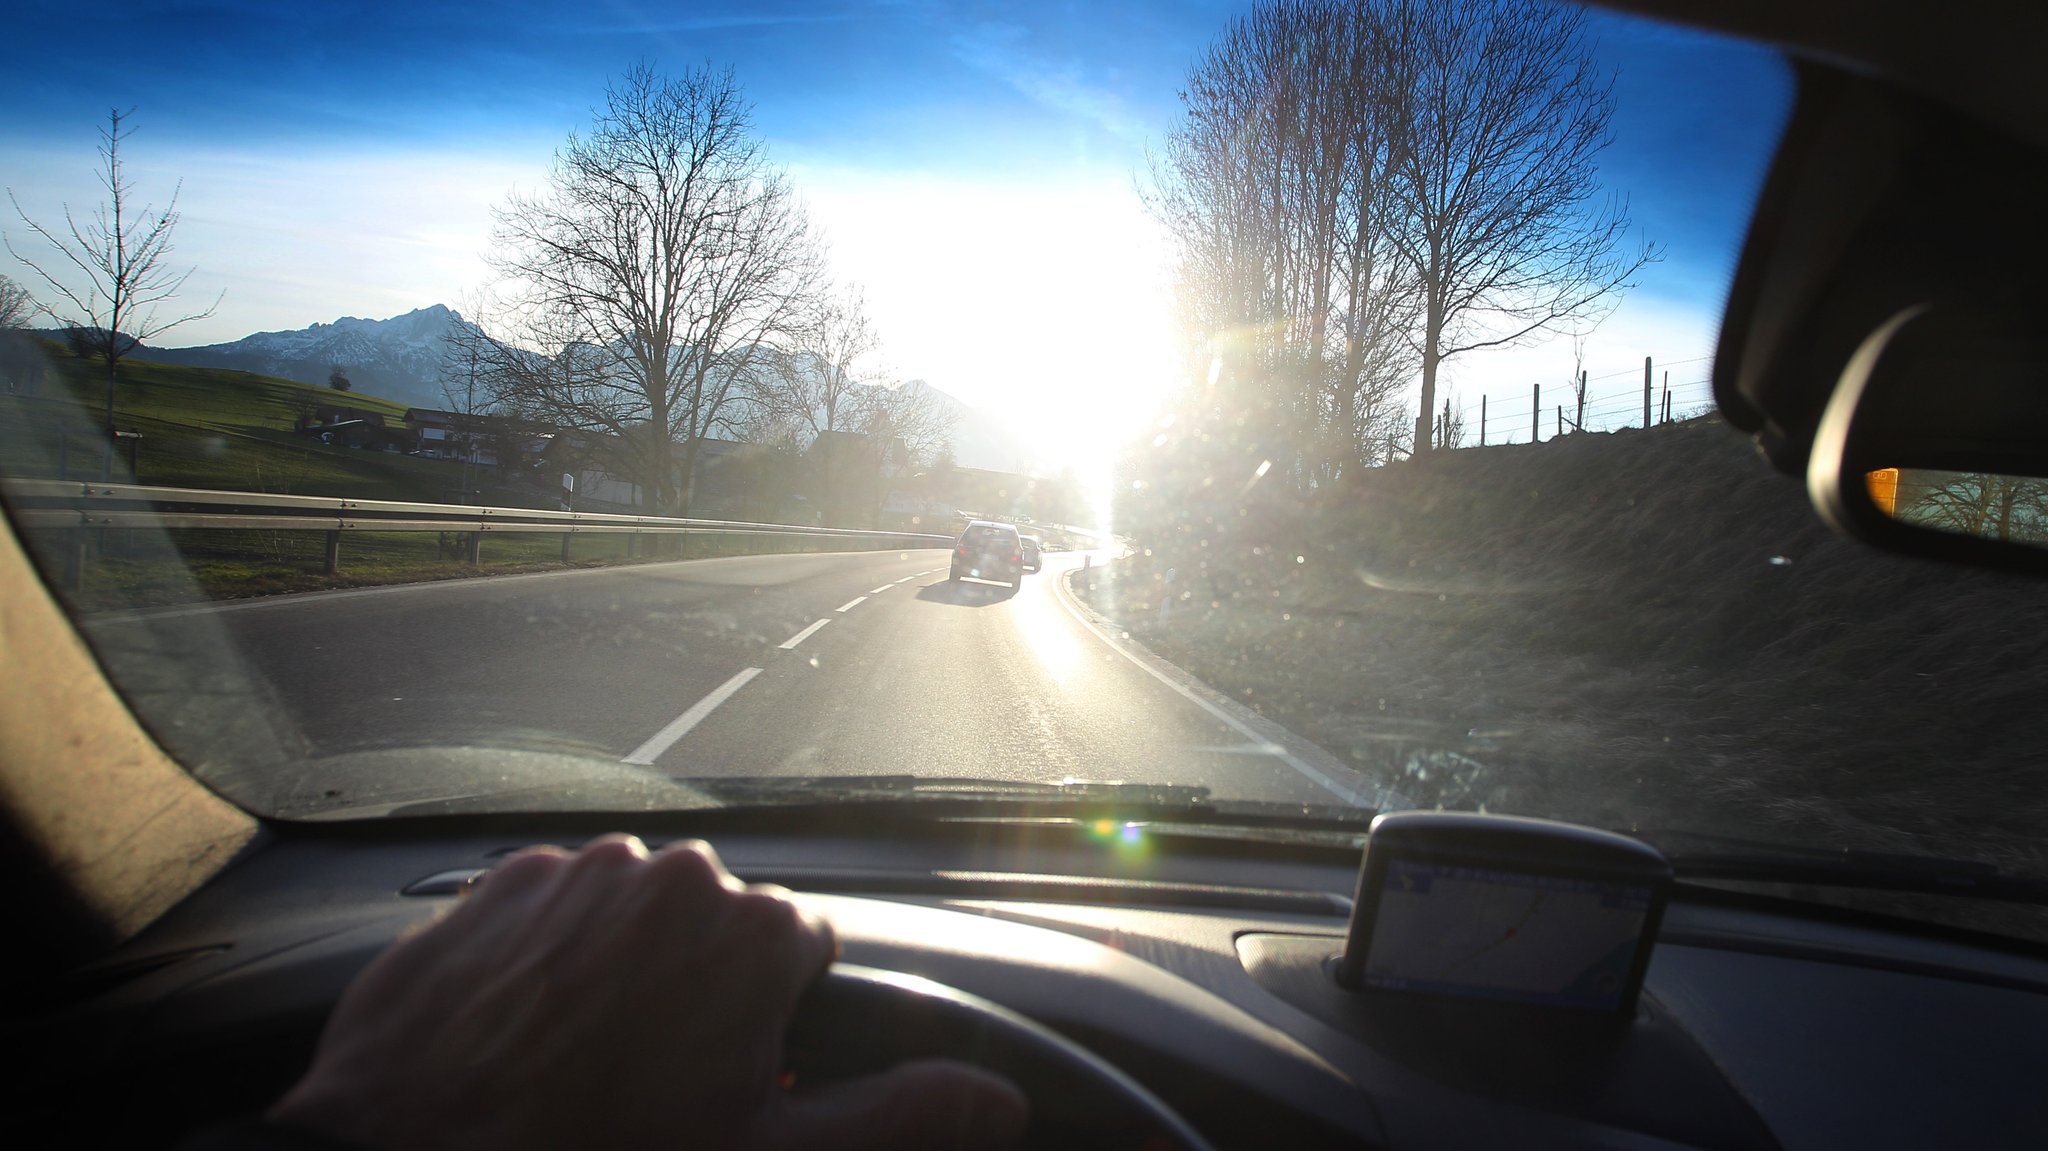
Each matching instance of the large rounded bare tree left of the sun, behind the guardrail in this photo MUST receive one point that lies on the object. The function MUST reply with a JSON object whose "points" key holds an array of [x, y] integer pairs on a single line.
{"points": [[652, 282]]}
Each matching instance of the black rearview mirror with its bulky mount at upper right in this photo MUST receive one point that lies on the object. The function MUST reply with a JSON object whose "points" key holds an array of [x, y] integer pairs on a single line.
{"points": [[1883, 318]]}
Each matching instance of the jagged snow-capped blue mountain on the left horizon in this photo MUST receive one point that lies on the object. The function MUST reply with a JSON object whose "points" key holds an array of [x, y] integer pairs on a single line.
{"points": [[398, 357]]}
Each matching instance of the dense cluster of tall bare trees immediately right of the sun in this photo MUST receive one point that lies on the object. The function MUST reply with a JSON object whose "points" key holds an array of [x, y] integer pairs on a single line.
{"points": [[1277, 194]]}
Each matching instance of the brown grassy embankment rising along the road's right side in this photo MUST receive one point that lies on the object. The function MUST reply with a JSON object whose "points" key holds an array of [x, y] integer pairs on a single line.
{"points": [[1637, 630]]}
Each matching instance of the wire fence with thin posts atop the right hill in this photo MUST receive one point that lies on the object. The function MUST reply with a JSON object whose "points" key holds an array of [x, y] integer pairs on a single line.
{"points": [[1629, 398]]}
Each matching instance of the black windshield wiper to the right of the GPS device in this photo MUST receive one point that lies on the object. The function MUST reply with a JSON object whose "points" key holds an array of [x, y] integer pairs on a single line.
{"points": [[1697, 855]]}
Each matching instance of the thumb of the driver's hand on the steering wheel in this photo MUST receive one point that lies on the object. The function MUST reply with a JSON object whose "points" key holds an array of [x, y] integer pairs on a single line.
{"points": [[927, 1105]]}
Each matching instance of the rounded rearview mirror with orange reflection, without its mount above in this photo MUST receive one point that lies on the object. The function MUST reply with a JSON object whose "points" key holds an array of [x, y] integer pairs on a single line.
{"points": [[1936, 437]]}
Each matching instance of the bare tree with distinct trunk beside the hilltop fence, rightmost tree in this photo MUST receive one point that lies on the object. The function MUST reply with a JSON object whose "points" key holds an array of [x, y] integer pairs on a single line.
{"points": [[1500, 118]]}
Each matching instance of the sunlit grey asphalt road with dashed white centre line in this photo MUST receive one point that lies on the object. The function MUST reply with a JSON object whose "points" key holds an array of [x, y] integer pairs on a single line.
{"points": [[744, 667]]}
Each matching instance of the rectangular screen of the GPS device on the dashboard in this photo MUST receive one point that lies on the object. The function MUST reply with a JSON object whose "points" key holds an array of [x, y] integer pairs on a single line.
{"points": [[1498, 935]]}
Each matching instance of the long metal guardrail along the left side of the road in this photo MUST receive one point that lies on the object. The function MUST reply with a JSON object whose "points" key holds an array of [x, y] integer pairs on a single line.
{"points": [[87, 509]]}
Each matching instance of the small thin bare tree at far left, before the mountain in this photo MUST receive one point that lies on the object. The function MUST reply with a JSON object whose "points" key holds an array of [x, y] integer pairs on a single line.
{"points": [[122, 259]]}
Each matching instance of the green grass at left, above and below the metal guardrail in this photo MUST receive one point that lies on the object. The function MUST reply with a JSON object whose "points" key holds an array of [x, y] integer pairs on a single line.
{"points": [[234, 431]]}
